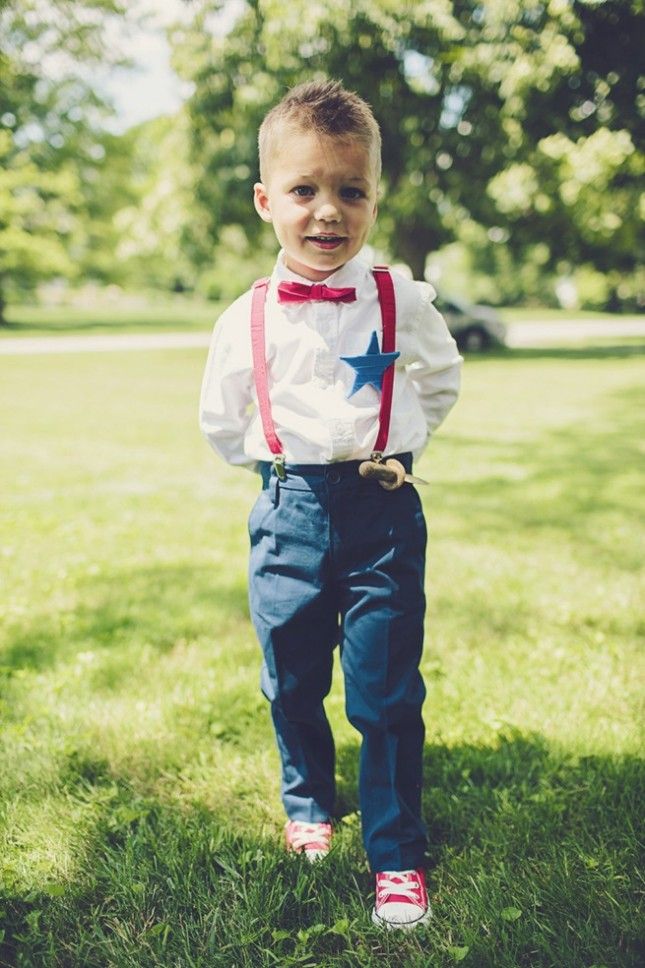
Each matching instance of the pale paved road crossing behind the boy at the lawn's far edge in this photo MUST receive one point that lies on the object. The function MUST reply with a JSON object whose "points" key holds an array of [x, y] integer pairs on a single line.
{"points": [[523, 335]]}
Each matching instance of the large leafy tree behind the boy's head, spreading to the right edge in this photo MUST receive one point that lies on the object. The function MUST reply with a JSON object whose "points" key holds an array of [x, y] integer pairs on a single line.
{"points": [[488, 110]]}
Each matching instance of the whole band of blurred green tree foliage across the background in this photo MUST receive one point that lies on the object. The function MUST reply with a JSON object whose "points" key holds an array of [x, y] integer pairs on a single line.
{"points": [[512, 130]]}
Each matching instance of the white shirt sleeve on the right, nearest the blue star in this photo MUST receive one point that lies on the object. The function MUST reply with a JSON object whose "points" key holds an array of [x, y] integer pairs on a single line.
{"points": [[436, 371]]}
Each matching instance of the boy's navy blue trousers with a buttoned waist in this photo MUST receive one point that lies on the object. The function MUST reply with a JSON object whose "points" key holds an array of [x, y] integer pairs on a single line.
{"points": [[336, 559]]}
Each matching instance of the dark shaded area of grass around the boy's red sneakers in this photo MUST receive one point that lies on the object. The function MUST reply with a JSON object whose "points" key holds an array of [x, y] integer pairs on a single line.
{"points": [[533, 858]]}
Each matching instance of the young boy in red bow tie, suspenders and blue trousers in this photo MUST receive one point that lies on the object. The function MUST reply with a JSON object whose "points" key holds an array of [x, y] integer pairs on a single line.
{"points": [[312, 377]]}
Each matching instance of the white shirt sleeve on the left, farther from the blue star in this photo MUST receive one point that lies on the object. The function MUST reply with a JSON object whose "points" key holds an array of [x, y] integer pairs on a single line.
{"points": [[227, 402]]}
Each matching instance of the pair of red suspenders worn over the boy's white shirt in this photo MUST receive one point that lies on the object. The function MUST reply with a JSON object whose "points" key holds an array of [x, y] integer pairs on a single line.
{"points": [[387, 303]]}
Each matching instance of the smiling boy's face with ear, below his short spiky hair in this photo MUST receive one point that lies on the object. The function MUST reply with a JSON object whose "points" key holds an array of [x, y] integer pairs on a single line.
{"points": [[320, 196]]}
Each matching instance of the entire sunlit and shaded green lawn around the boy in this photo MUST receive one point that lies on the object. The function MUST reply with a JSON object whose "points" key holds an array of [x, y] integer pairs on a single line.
{"points": [[139, 811]]}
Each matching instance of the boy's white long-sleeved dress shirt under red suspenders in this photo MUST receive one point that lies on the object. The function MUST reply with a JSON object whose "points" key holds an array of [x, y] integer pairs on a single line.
{"points": [[316, 416]]}
